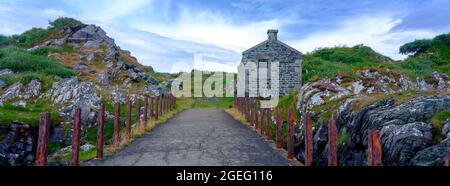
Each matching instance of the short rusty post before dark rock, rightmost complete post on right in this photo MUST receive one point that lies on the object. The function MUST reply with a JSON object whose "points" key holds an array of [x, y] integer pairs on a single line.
{"points": [[375, 149]]}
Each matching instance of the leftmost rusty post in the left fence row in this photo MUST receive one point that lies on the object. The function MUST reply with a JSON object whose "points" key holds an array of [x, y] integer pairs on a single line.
{"points": [[42, 146]]}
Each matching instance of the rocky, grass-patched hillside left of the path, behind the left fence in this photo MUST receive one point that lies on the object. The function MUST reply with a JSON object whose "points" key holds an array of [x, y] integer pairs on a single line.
{"points": [[57, 69]]}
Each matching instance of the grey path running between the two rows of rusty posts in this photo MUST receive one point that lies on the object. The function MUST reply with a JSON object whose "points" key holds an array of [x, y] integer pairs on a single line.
{"points": [[198, 137]]}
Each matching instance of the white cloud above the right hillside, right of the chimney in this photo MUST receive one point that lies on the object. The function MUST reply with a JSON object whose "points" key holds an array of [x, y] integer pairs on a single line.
{"points": [[374, 31]]}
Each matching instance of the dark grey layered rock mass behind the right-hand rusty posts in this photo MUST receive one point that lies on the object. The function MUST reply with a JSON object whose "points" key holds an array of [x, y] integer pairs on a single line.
{"points": [[404, 131]]}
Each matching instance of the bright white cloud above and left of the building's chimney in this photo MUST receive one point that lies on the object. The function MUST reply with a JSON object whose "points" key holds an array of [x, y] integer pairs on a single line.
{"points": [[211, 28]]}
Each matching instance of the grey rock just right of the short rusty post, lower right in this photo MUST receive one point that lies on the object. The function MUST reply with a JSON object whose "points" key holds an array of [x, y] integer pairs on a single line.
{"points": [[402, 142]]}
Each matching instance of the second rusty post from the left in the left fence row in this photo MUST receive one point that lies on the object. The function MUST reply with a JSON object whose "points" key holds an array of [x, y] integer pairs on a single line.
{"points": [[76, 137]]}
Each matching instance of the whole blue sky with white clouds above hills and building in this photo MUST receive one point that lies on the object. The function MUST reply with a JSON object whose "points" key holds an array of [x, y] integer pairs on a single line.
{"points": [[162, 33]]}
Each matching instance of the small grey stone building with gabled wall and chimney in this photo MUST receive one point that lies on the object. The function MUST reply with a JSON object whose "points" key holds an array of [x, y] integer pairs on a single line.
{"points": [[273, 50]]}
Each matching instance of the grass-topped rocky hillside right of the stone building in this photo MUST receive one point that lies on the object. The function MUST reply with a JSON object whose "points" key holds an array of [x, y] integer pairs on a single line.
{"points": [[408, 101]]}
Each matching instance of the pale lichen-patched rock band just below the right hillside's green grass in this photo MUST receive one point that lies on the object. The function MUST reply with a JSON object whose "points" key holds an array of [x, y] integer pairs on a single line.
{"points": [[370, 81]]}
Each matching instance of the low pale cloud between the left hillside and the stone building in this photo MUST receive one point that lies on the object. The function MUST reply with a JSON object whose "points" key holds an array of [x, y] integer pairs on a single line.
{"points": [[163, 53]]}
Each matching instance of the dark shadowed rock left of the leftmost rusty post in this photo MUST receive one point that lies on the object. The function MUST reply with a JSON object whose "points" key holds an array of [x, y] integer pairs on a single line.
{"points": [[17, 146]]}
